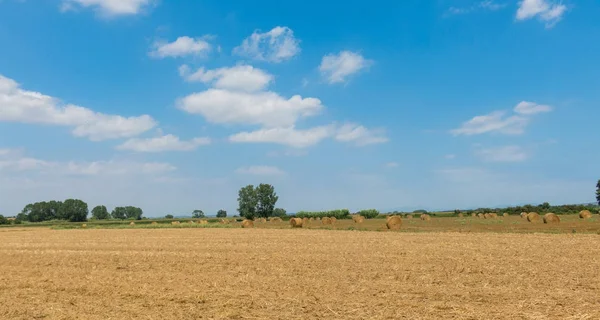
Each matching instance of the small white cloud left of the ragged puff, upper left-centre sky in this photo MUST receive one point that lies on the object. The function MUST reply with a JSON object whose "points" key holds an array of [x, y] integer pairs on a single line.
{"points": [[183, 46]]}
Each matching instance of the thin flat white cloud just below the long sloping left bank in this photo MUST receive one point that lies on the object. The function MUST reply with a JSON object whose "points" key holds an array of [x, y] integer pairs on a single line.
{"points": [[163, 143]]}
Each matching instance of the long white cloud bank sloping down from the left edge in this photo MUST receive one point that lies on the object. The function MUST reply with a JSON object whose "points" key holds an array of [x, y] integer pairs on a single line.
{"points": [[17, 105]]}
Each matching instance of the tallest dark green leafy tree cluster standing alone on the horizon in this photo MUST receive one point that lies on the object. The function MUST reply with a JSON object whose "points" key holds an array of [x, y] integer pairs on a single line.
{"points": [[257, 202]]}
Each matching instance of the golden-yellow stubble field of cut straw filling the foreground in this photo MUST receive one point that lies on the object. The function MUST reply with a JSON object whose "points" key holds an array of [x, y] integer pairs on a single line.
{"points": [[196, 273]]}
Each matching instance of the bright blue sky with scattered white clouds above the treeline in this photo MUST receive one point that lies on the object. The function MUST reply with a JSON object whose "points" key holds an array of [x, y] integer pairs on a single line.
{"points": [[174, 105]]}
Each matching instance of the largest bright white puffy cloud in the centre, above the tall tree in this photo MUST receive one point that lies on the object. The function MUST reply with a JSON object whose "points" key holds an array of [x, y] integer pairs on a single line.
{"points": [[264, 108]]}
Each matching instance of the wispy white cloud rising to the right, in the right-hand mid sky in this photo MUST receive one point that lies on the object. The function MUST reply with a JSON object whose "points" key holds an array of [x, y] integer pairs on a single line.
{"points": [[502, 122]]}
